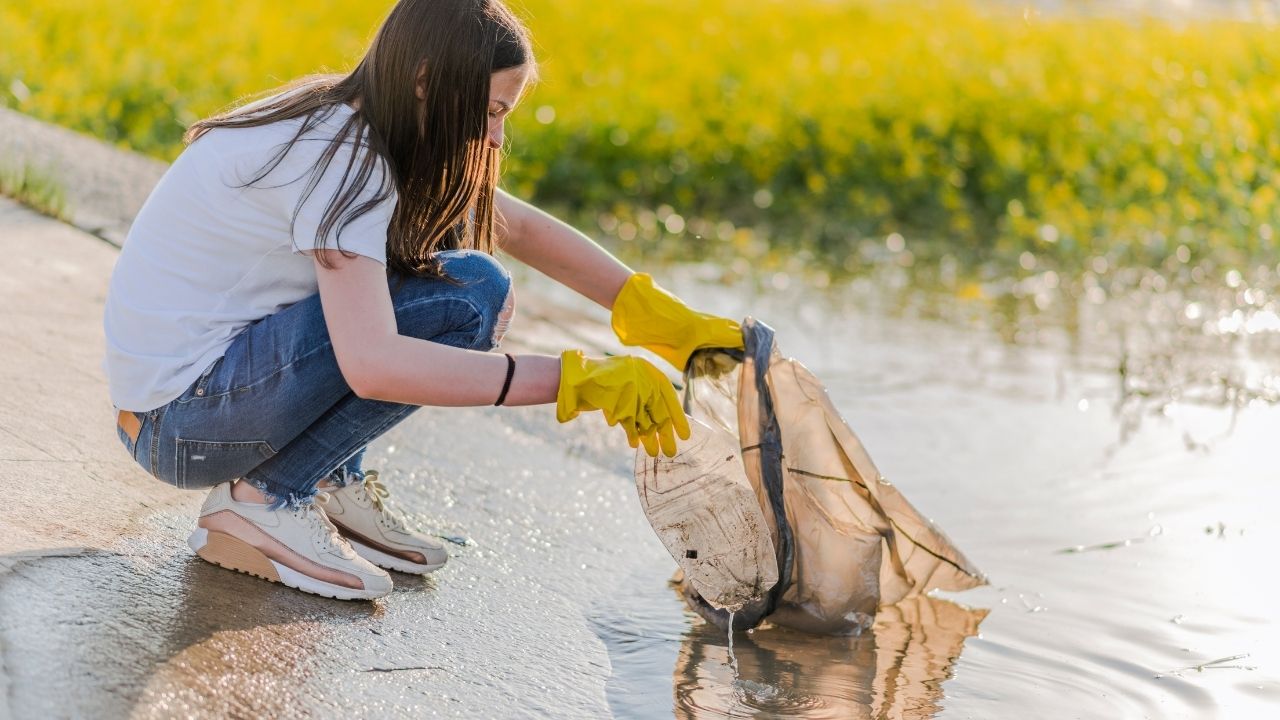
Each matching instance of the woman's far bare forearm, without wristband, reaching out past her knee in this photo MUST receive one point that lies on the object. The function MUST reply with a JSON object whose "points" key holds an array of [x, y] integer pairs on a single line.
{"points": [[559, 252]]}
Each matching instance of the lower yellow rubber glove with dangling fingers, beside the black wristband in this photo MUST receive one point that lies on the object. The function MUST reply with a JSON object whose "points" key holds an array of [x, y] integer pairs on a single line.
{"points": [[630, 391]]}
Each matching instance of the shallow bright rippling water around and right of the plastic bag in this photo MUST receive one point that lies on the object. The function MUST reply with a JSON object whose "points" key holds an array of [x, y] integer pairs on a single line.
{"points": [[1107, 461]]}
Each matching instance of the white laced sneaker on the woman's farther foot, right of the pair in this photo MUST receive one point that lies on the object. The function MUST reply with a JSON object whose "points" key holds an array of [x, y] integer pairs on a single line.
{"points": [[378, 534]]}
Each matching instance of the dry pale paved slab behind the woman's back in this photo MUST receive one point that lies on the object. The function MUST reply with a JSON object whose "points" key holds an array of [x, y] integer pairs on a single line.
{"points": [[70, 484]]}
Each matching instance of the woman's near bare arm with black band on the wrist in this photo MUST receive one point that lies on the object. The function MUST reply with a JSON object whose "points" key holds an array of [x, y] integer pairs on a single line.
{"points": [[381, 364]]}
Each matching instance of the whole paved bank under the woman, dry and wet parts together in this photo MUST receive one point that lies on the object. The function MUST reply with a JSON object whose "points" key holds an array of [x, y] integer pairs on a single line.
{"points": [[106, 613]]}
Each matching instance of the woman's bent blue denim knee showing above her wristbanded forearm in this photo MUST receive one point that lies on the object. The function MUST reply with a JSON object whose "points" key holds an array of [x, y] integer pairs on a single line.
{"points": [[474, 311]]}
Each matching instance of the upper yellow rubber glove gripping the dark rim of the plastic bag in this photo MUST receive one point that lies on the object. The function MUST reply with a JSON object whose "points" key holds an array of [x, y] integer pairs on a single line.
{"points": [[648, 316]]}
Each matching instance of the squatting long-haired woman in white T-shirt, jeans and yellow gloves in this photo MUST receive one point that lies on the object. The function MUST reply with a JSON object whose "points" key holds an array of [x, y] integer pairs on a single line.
{"points": [[317, 266]]}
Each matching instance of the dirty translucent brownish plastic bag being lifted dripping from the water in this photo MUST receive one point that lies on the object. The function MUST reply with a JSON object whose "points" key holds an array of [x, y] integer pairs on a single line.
{"points": [[844, 541]]}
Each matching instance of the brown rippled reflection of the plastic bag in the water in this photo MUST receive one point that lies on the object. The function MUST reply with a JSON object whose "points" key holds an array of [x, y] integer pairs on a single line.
{"points": [[894, 671]]}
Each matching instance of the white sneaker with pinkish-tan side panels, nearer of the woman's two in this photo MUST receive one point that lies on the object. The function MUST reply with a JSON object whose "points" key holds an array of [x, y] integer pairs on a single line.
{"points": [[298, 548]]}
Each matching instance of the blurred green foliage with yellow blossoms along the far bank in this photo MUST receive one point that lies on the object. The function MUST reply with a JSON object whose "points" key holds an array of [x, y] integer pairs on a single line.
{"points": [[703, 129]]}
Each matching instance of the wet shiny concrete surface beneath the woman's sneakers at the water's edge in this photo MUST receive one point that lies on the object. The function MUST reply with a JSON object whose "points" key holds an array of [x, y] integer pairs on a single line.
{"points": [[143, 628]]}
